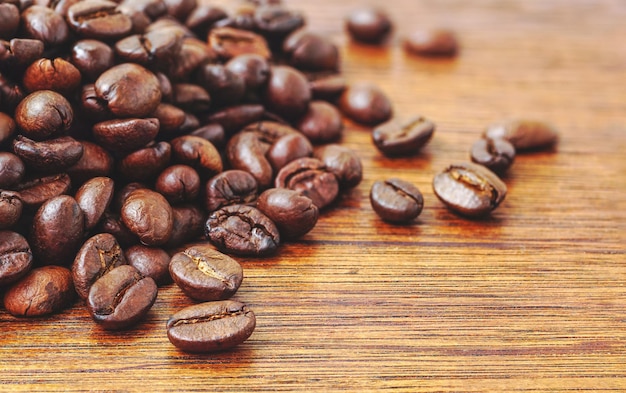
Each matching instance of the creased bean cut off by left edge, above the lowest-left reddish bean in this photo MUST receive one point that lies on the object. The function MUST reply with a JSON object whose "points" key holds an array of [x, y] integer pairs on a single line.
{"points": [[16, 259]]}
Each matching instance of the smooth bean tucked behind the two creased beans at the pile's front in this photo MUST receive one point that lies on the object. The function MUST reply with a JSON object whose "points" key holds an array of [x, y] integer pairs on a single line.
{"points": [[150, 262]]}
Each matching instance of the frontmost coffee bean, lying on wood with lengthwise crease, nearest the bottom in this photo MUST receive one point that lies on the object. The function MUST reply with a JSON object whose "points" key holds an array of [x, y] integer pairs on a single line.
{"points": [[211, 326]]}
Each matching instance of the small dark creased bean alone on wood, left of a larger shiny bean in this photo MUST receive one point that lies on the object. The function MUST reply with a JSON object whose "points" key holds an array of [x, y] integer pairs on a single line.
{"points": [[396, 200]]}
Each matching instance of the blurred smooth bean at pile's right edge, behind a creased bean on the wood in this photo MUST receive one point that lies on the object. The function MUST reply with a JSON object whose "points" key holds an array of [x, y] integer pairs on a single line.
{"points": [[365, 103]]}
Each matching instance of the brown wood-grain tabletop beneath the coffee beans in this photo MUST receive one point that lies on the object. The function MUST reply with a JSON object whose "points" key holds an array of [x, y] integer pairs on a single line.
{"points": [[531, 299]]}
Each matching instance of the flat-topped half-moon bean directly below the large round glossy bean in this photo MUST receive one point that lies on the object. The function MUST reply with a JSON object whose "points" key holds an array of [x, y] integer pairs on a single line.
{"points": [[122, 135]]}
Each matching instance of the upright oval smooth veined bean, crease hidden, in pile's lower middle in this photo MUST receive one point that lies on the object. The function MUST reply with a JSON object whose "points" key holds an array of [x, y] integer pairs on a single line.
{"points": [[149, 216]]}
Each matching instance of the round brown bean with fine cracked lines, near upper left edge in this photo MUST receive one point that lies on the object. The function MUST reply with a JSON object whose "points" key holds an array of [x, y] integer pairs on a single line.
{"points": [[43, 114]]}
